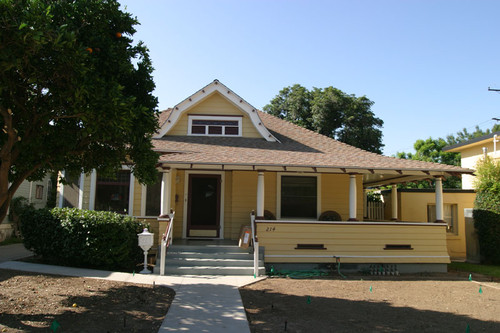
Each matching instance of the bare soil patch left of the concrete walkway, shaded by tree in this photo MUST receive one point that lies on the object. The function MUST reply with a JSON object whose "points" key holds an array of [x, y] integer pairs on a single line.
{"points": [[31, 302]]}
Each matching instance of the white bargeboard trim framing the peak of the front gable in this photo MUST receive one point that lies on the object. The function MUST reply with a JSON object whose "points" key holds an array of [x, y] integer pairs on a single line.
{"points": [[168, 121]]}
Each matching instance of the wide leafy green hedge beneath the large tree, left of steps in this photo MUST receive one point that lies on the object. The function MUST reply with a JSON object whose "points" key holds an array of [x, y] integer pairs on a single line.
{"points": [[83, 238]]}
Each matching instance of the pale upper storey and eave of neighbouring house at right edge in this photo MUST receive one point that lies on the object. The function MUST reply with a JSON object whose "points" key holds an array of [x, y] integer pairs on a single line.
{"points": [[474, 150]]}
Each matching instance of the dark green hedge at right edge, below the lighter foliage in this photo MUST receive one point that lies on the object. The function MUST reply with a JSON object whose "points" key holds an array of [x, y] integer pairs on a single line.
{"points": [[487, 224]]}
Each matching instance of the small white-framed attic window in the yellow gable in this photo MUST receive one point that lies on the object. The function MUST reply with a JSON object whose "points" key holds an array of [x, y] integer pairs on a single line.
{"points": [[214, 125]]}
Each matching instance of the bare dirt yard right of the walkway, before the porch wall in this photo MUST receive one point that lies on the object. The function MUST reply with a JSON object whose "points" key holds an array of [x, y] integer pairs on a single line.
{"points": [[397, 304]]}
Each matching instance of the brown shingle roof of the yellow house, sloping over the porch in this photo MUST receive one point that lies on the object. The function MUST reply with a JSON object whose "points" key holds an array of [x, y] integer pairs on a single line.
{"points": [[297, 147]]}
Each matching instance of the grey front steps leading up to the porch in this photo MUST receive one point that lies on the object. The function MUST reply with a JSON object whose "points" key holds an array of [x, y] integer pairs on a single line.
{"points": [[210, 259]]}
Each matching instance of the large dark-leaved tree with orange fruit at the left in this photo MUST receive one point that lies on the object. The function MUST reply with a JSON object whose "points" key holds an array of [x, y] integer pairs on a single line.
{"points": [[75, 92]]}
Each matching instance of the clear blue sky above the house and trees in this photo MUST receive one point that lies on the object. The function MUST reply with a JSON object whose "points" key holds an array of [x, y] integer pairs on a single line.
{"points": [[426, 64]]}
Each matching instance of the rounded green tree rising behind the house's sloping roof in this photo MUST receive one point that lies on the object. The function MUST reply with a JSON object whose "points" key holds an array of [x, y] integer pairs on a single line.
{"points": [[331, 112]]}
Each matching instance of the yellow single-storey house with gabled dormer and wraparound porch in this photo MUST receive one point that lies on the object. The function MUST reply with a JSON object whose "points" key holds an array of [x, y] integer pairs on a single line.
{"points": [[221, 159]]}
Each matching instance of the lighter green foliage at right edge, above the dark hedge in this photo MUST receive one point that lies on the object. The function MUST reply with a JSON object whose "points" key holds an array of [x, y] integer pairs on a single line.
{"points": [[487, 184]]}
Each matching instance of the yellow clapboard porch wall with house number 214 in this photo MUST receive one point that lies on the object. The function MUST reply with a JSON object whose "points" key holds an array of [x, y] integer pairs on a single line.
{"points": [[352, 242]]}
